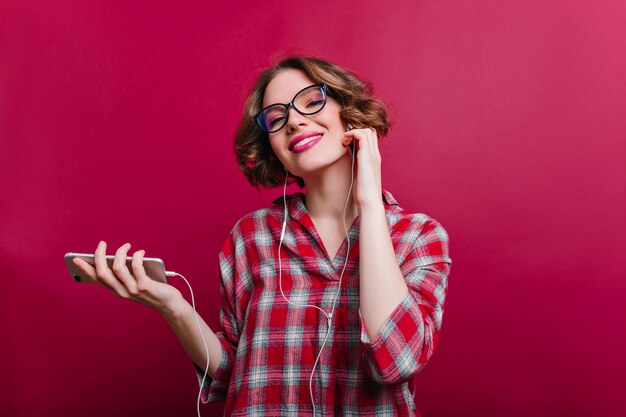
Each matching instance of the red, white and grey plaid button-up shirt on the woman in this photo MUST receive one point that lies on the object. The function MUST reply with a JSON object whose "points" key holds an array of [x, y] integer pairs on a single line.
{"points": [[269, 347]]}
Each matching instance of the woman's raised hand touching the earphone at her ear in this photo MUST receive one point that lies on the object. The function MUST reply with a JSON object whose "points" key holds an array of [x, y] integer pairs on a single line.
{"points": [[367, 190]]}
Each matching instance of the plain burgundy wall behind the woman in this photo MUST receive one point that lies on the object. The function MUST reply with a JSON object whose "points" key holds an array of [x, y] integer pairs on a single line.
{"points": [[116, 122]]}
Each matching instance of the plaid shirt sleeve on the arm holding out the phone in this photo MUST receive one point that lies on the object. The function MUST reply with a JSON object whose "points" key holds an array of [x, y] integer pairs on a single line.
{"points": [[234, 276]]}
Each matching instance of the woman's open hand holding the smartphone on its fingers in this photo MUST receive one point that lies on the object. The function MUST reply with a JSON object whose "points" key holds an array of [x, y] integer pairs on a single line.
{"points": [[136, 286]]}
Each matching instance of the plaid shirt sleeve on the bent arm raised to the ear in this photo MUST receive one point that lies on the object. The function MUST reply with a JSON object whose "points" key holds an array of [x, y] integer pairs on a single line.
{"points": [[407, 339]]}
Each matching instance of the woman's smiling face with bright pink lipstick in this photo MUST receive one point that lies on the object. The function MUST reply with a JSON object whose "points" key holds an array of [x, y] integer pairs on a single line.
{"points": [[306, 144]]}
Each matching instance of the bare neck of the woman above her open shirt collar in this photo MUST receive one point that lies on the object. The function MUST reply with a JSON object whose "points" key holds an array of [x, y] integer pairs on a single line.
{"points": [[326, 193]]}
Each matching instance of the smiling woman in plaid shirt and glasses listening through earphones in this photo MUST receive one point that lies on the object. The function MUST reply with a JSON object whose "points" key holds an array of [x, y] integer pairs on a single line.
{"points": [[318, 317]]}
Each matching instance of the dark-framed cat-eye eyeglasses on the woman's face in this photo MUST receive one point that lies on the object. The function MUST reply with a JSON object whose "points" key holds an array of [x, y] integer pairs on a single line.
{"points": [[308, 101]]}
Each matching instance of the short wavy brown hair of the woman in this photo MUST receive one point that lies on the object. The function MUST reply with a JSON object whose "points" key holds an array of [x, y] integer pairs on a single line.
{"points": [[255, 156]]}
